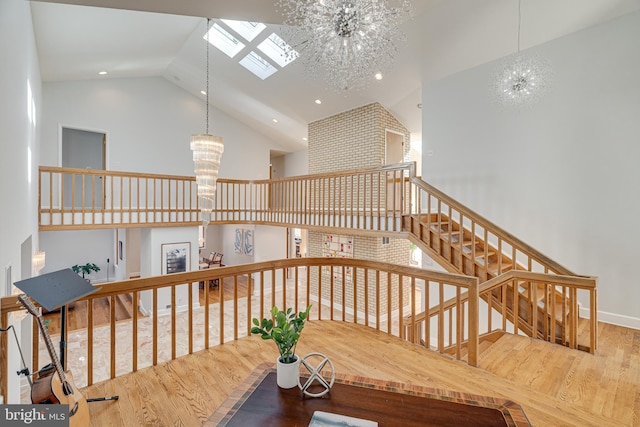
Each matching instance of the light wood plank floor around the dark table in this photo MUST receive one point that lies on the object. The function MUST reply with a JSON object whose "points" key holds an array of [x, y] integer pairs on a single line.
{"points": [[556, 386]]}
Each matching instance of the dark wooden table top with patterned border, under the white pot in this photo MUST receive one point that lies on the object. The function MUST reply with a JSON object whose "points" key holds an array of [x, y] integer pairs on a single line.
{"points": [[259, 401]]}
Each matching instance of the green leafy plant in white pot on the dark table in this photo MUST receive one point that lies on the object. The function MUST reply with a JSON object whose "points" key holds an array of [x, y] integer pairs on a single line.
{"points": [[284, 328]]}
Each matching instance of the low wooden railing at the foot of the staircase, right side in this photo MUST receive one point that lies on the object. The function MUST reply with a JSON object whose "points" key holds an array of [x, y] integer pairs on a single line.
{"points": [[545, 306]]}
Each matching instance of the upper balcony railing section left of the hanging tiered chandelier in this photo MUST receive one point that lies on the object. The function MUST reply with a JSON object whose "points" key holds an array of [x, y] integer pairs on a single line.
{"points": [[87, 199]]}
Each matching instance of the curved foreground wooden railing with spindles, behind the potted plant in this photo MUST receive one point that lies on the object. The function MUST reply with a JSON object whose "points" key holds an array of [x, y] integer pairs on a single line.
{"points": [[375, 294]]}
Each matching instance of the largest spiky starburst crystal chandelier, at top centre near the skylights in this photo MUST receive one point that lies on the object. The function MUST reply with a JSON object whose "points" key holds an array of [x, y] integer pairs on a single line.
{"points": [[346, 42]]}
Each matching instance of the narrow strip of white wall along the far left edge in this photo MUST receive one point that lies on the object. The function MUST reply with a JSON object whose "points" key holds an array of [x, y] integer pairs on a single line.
{"points": [[20, 100]]}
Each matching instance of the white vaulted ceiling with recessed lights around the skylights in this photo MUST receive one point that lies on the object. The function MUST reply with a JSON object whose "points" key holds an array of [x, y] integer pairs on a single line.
{"points": [[164, 38]]}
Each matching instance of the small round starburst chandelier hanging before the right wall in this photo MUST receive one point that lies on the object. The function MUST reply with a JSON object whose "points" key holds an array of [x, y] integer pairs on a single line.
{"points": [[523, 78]]}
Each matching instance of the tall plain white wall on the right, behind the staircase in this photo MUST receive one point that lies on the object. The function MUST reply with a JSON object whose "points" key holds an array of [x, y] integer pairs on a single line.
{"points": [[562, 175]]}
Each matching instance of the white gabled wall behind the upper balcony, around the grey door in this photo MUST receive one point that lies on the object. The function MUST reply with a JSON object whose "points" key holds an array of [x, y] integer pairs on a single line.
{"points": [[149, 122]]}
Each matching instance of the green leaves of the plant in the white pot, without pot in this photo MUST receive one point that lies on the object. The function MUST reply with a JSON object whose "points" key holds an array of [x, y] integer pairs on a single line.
{"points": [[284, 329]]}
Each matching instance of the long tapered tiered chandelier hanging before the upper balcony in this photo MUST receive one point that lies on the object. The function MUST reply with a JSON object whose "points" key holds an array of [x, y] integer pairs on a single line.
{"points": [[207, 151]]}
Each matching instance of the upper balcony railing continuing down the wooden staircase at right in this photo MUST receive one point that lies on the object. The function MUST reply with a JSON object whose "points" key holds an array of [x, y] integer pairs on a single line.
{"points": [[388, 199]]}
